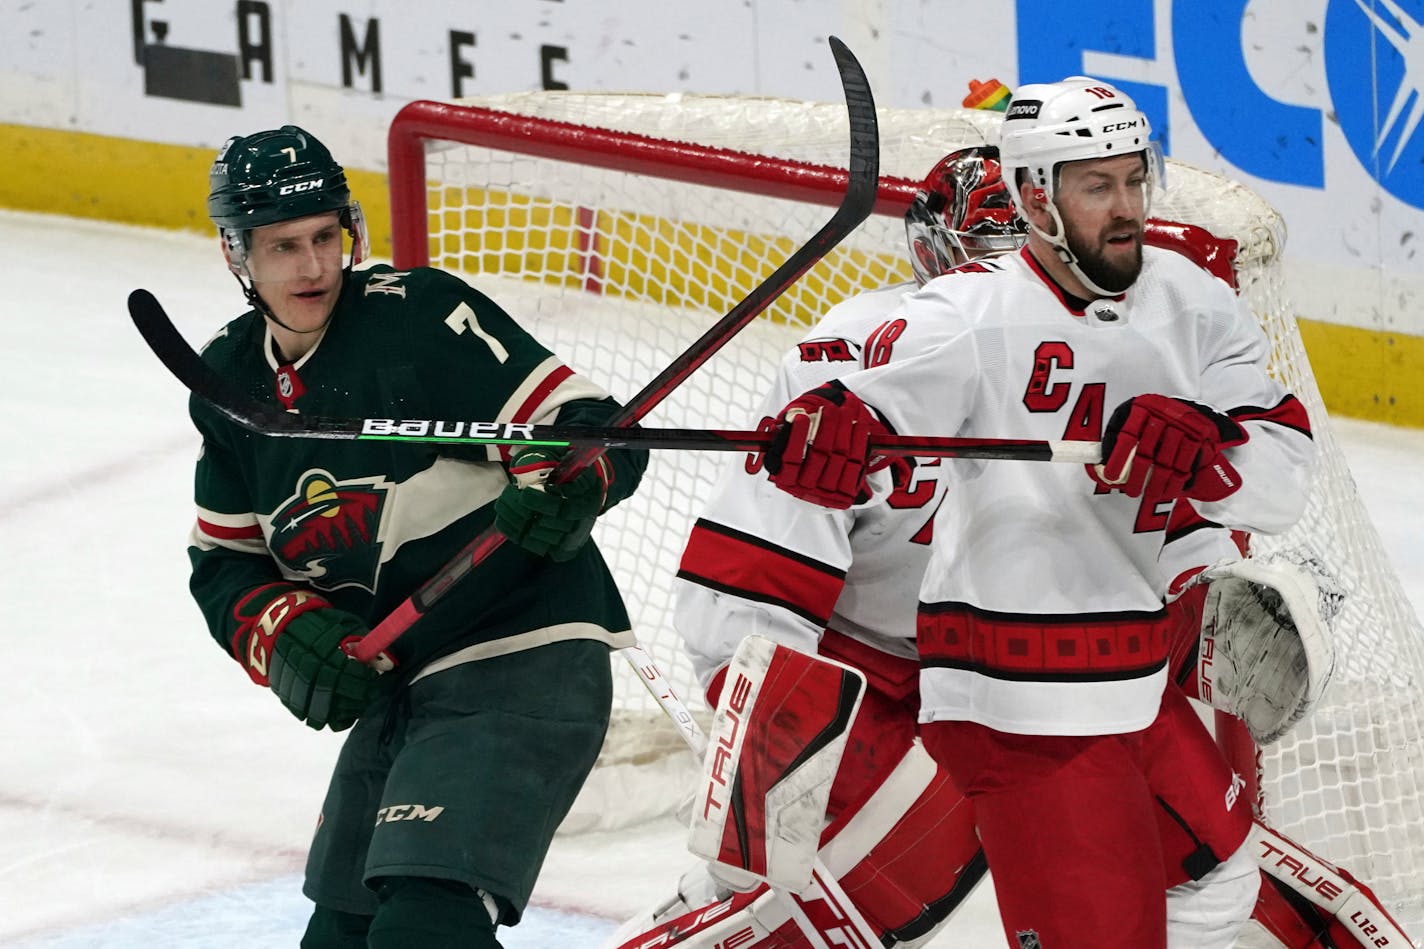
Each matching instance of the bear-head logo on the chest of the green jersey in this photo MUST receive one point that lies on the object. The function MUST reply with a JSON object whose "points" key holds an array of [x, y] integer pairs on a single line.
{"points": [[330, 531]]}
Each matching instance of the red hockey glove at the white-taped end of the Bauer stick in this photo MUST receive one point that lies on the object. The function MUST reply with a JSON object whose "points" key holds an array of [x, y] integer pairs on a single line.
{"points": [[1163, 448]]}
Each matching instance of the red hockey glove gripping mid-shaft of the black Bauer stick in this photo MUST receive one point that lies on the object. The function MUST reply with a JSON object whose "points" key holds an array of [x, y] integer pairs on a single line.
{"points": [[821, 447]]}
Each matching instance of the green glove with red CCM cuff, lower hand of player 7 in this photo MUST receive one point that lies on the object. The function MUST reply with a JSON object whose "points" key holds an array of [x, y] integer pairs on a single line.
{"points": [[290, 641]]}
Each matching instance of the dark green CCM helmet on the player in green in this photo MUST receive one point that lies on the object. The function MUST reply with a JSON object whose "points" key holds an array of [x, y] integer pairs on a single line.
{"points": [[278, 176]]}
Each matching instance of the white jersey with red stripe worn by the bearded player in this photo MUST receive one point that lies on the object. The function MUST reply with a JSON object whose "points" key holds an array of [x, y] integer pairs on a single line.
{"points": [[1042, 609]]}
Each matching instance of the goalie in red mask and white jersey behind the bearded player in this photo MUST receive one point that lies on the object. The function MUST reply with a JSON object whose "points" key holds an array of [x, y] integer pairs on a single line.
{"points": [[844, 585]]}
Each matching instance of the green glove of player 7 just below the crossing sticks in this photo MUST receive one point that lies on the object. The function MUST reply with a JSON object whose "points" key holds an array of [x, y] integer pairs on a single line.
{"points": [[548, 519]]}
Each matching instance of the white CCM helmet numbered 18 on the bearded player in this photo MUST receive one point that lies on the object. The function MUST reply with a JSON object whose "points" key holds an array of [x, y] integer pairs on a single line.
{"points": [[1079, 119]]}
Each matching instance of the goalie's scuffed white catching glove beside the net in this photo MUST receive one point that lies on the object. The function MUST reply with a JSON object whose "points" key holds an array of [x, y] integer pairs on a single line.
{"points": [[1267, 653]]}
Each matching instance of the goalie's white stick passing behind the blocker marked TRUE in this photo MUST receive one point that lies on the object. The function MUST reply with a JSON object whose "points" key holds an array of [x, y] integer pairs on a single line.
{"points": [[851, 930]]}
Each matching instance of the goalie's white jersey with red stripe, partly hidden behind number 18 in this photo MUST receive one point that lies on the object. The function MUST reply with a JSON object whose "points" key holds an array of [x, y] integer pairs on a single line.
{"points": [[763, 562]]}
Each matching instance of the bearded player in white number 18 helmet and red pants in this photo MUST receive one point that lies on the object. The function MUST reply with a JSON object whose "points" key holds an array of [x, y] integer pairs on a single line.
{"points": [[1042, 631]]}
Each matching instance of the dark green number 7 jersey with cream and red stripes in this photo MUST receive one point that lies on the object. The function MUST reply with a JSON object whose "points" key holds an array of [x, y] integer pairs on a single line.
{"points": [[370, 522]]}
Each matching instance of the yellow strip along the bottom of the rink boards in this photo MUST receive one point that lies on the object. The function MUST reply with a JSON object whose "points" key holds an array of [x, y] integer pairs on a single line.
{"points": [[1361, 373]]}
